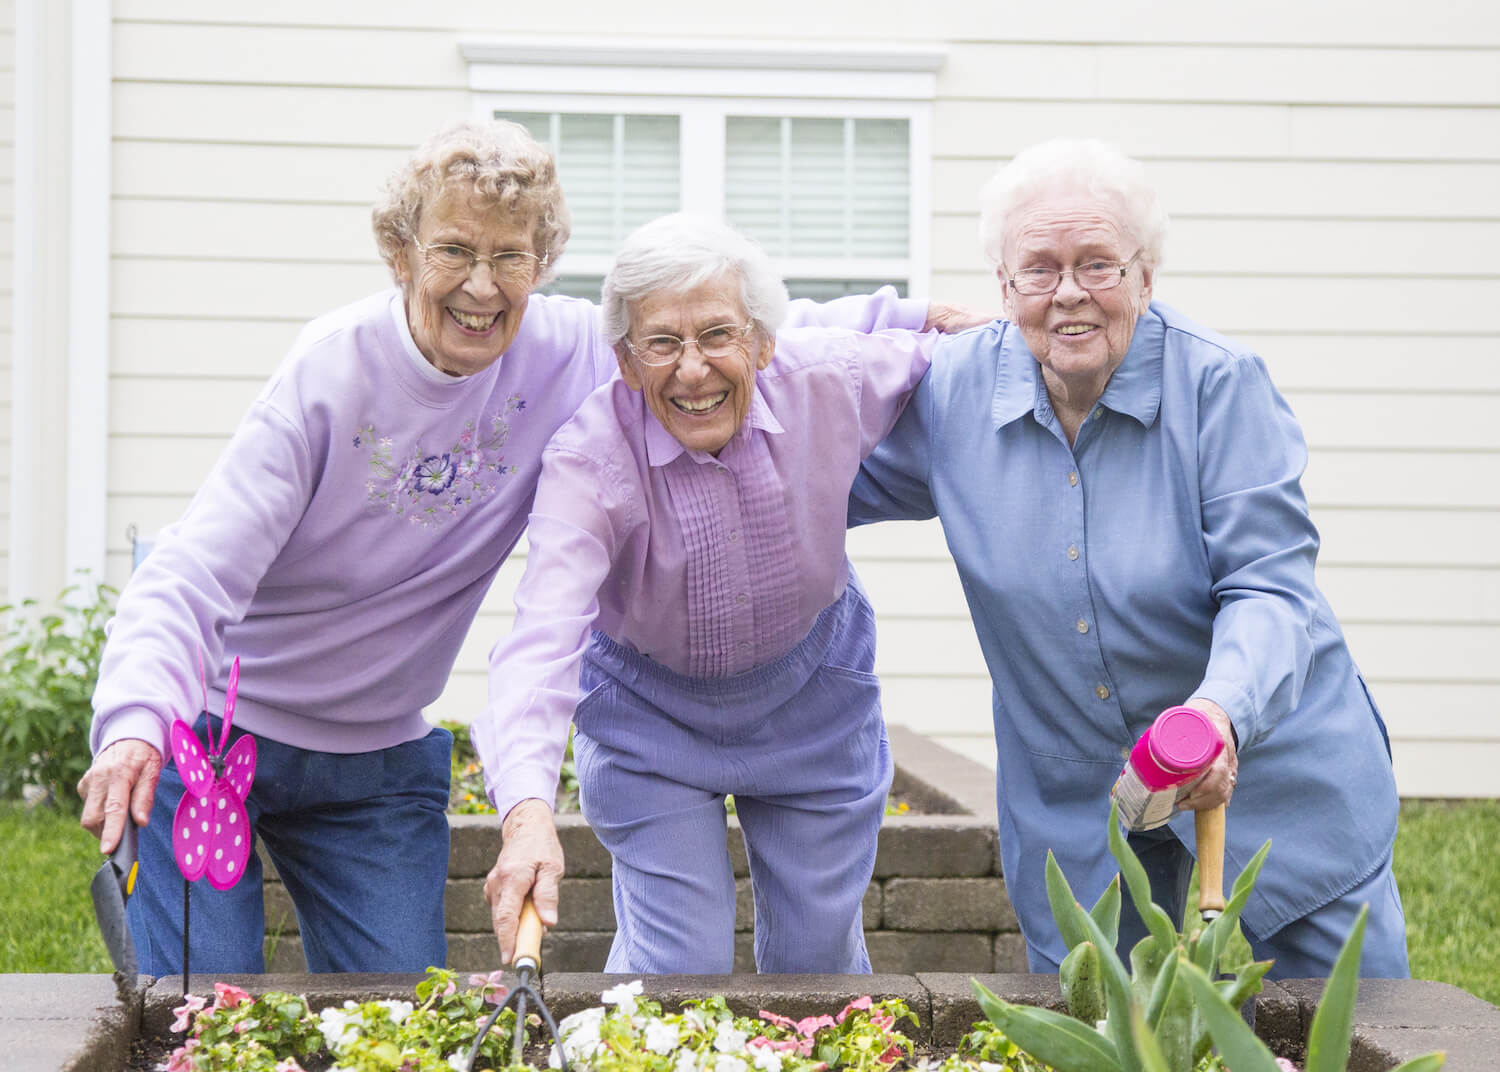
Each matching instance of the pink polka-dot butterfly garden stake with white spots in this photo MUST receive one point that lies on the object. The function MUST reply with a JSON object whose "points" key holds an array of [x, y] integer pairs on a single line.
{"points": [[212, 831]]}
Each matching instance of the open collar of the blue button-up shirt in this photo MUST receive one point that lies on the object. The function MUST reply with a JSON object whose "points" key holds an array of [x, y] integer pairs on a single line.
{"points": [[1133, 391]]}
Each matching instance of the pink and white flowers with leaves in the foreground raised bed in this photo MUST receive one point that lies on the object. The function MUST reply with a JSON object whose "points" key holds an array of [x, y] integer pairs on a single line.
{"points": [[659, 1025]]}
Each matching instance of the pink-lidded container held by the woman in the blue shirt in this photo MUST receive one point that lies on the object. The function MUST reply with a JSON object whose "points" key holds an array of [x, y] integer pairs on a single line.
{"points": [[1178, 747]]}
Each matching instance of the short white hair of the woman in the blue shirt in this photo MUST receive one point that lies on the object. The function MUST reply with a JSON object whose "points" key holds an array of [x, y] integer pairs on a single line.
{"points": [[1075, 166]]}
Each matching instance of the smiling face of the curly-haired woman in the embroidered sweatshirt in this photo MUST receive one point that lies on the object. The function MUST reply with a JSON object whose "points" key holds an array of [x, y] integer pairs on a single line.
{"points": [[463, 322]]}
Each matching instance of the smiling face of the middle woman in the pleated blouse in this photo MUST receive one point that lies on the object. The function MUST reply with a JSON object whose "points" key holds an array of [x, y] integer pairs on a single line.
{"points": [[700, 401]]}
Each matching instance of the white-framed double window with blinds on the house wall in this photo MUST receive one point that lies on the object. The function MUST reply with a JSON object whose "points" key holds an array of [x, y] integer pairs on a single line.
{"points": [[830, 175]]}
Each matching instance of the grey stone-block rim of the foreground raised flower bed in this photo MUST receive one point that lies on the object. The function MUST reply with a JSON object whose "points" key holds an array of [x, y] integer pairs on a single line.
{"points": [[79, 1023]]}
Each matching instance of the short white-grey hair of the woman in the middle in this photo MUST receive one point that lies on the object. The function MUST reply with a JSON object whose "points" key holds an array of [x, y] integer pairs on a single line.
{"points": [[680, 253]]}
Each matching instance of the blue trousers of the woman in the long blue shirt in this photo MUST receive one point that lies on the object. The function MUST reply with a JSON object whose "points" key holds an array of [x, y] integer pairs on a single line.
{"points": [[1303, 950]]}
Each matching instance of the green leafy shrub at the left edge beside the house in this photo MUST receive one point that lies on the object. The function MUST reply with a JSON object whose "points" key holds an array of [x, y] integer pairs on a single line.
{"points": [[47, 678]]}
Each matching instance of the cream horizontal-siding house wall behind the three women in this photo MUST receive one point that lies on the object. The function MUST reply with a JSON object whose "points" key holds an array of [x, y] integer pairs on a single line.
{"points": [[1333, 173]]}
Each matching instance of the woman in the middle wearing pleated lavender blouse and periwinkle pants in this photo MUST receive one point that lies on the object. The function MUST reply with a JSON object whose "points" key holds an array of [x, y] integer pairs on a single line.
{"points": [[689, 572]]}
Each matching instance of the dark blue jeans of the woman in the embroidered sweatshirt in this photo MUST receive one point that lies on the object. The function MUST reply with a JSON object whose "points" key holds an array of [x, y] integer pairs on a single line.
{"points": [[359, 840]]}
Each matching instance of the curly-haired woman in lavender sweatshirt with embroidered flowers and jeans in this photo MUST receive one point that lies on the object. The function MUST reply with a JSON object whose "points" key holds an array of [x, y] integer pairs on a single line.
{"points": [[341, 549]]}
